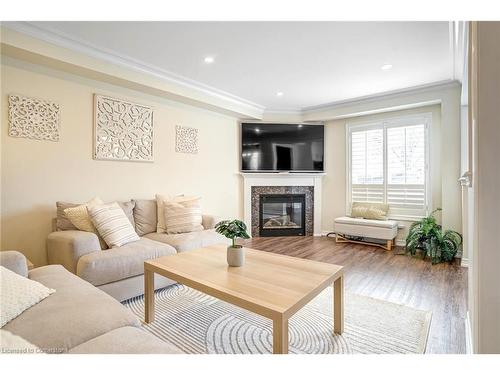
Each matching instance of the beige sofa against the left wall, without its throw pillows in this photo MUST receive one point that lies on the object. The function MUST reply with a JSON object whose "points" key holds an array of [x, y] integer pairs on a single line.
{"points": [[119, 271]]}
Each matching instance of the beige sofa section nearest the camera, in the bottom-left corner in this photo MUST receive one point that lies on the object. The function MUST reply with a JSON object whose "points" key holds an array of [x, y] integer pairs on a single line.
{"points": [[77, 317]]}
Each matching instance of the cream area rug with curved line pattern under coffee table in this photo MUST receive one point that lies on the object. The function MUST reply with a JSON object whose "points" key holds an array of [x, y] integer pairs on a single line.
{"points": [[198, 323]]}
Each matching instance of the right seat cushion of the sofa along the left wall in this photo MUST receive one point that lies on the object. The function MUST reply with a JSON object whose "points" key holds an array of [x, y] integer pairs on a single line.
{"points": [[188, 241]]}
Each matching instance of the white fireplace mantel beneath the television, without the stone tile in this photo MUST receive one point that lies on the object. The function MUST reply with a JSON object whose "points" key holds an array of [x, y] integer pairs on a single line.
{"points": [[282, 179]]}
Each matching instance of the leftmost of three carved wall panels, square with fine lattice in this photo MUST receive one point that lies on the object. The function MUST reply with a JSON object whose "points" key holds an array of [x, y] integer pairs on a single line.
{"points": [[33, 118]]}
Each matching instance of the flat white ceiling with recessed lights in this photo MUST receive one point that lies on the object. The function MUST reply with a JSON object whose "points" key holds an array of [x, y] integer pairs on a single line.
{"points": [[311, 63]]}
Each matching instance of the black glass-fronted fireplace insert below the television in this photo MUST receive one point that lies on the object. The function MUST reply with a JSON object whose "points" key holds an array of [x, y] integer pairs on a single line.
{"points": [[282, 215]]}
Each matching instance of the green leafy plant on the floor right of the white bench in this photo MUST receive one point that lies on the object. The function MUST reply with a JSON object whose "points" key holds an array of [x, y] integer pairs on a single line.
{"points": [[427, 236]]}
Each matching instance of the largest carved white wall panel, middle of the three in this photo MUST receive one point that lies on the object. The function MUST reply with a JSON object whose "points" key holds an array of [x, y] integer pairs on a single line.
{"points": [[122, 130]]}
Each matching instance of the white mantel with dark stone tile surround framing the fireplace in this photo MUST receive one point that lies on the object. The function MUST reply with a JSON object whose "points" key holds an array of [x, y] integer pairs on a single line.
{"points": [[278, 183]]}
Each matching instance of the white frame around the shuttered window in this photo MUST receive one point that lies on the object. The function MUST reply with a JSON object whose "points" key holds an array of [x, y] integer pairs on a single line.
{"points": [[384, 124]]}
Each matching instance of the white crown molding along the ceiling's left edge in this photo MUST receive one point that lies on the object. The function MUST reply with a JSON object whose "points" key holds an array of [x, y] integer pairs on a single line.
{"points": [[62, 40]]}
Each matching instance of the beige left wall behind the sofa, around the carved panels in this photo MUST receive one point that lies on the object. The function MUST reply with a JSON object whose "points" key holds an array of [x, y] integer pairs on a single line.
{"points": [[35, 174]]}
